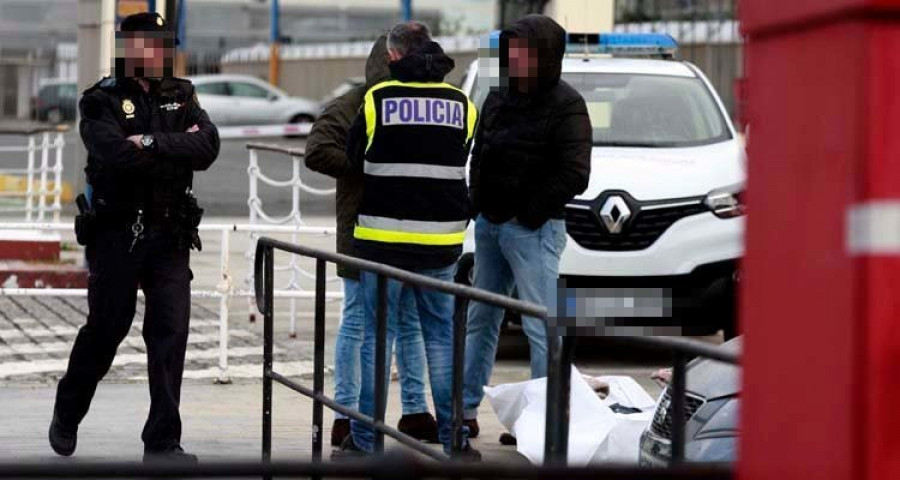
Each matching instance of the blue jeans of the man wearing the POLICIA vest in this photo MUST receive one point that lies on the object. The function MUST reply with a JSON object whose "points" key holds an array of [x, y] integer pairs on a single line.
{"points": [[436, 318]]}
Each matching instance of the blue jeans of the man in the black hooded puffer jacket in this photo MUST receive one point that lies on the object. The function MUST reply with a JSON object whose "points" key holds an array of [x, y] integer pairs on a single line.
{"points": [[510, 255]]}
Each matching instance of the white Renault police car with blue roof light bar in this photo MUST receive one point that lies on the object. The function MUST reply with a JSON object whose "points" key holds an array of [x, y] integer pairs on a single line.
{"points": [[661, 223]]}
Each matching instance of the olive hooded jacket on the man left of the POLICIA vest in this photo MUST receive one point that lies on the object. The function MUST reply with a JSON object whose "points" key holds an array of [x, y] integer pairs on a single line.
{"points": [[326, 150]]}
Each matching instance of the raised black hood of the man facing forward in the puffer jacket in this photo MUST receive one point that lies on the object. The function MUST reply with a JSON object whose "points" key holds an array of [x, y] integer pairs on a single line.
{"points": [[549, 38]]}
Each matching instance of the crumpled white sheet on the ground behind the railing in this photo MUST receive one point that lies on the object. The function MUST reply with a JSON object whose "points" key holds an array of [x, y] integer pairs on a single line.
{"points": [[596, 433]]}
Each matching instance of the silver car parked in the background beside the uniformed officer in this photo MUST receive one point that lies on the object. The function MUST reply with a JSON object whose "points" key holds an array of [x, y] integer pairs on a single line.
{"points": [[247, 100]]}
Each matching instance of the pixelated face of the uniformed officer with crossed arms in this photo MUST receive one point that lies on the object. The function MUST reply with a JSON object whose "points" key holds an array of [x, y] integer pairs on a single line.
{"points": [[144, 54]]}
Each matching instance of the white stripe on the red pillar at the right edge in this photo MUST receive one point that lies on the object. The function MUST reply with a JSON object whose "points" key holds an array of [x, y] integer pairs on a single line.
{"points": [[873, 228]]}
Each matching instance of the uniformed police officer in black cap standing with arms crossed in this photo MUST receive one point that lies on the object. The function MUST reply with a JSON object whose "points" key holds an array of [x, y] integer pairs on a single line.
{"points": [[145, 134]]}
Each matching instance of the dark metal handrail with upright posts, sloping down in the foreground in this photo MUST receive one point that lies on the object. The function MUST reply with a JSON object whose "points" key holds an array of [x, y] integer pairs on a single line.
{"points": [[560, 348]]}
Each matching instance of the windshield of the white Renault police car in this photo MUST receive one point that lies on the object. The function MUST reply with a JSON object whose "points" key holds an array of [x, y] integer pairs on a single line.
{"points": [[649, 110]]}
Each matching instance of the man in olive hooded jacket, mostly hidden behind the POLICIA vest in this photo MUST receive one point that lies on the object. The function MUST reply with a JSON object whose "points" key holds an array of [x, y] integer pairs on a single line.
{"points": [[326, 153]]}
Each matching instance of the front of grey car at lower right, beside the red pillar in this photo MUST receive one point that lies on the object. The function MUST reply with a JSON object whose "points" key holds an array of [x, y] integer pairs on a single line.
{"points": [[712, 407]]}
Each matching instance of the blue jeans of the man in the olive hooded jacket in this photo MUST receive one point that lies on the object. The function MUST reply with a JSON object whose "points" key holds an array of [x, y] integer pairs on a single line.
{"points": [[410, 354]]}
